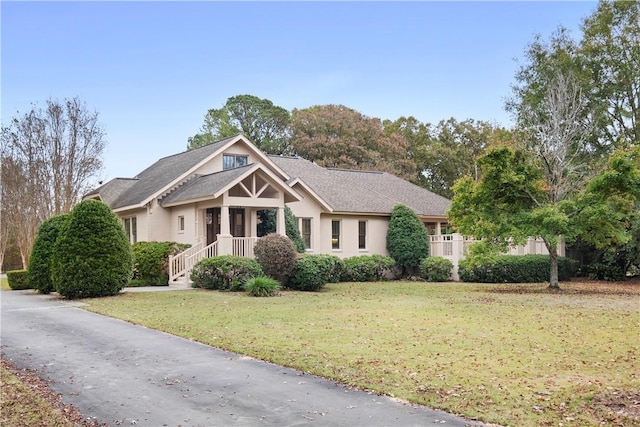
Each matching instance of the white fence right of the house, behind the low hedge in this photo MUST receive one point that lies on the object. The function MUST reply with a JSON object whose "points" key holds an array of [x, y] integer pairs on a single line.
{"points": [[455, 247]]}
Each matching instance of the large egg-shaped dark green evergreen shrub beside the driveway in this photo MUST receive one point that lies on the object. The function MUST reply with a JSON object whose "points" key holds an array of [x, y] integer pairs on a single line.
{"points": [[92, 255]]}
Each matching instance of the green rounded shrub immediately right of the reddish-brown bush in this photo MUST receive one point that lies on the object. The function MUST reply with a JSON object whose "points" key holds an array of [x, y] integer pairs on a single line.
{"points": [[312, 272]]}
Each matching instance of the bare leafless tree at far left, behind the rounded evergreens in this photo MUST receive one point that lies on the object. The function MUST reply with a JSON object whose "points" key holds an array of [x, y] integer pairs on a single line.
{"points": [[49, 157]]}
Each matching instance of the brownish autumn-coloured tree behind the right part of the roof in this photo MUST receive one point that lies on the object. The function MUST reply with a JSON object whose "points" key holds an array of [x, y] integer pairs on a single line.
{"points": [[335, 136]]}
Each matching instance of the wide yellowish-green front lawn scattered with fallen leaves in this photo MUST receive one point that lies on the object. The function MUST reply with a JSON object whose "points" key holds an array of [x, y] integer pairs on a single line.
{"points": [[484, 351]]}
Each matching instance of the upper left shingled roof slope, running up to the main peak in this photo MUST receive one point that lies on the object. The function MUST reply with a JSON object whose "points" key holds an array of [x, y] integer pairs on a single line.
{"points": [[162, 173]]}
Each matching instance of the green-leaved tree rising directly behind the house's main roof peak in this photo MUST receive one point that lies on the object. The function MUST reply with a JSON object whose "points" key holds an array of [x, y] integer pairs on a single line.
{"points": [[265, 124]]}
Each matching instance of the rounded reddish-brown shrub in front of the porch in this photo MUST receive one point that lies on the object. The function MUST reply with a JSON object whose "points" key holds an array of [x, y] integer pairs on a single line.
{"points": [[276, 255]]}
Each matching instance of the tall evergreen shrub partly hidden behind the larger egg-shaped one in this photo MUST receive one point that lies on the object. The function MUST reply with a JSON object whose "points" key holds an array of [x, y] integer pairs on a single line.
{"points": [[39, 270]]}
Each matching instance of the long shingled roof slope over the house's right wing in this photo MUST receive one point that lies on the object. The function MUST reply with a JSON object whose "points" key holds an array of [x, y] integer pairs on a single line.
{"points": [[352, 191]]}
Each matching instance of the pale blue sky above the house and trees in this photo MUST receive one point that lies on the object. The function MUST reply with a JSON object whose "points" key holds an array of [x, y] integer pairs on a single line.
{"points": [[153, 69]]}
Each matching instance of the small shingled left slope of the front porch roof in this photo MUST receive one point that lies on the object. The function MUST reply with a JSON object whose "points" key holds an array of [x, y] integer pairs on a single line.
{"points": [[204, 185]]}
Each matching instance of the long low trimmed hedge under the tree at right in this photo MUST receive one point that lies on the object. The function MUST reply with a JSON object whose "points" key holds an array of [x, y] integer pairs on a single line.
{"points": [[515, 269]]}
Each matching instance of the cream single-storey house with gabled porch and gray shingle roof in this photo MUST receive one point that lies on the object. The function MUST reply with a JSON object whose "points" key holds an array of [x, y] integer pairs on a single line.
{"points": [[209, 197]]}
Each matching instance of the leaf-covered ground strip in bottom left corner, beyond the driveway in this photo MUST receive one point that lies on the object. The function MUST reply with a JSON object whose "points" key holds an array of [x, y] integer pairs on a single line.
{"points": [[41, 388]]}
